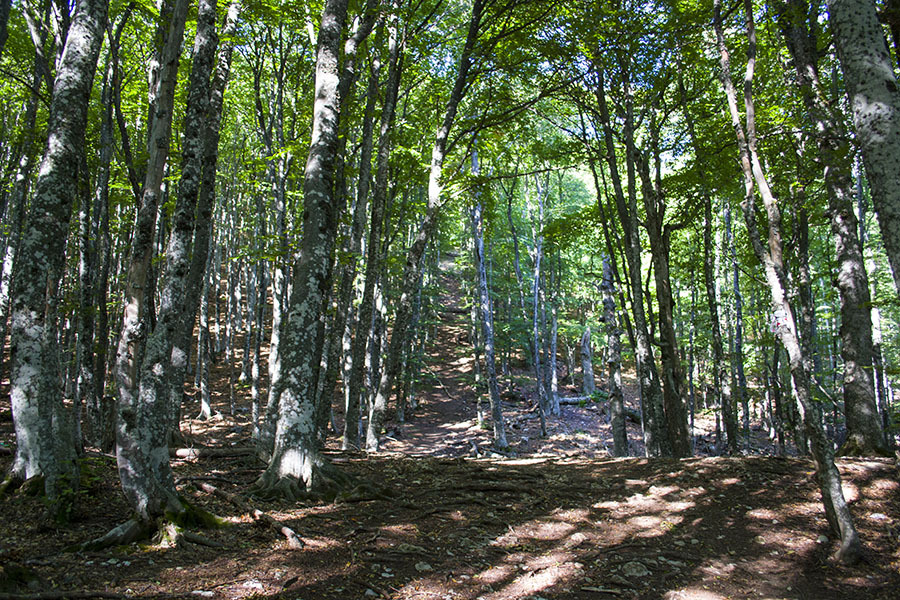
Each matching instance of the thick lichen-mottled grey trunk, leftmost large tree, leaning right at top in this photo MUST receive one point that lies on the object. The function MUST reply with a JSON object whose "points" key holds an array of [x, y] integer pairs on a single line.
{"points": [[43, 449]]}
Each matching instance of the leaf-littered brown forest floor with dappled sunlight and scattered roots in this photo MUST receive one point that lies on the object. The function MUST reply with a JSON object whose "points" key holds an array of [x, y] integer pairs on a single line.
{"points": [[558, 519]]}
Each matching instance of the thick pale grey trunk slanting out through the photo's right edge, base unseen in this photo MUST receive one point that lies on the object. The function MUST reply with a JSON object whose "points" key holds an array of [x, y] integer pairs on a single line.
{"points": [[875, 102]]}
